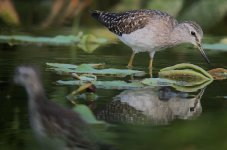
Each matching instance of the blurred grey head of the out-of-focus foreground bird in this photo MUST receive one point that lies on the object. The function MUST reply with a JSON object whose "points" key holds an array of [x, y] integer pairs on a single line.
{"points": [[26, 76]]}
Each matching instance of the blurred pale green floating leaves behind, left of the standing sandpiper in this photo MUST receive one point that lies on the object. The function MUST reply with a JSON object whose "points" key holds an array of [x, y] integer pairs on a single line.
{"points": [[86, 42]]}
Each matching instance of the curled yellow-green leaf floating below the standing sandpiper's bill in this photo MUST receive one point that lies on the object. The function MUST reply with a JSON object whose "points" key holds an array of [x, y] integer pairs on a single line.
{"points": [[187, 77]]}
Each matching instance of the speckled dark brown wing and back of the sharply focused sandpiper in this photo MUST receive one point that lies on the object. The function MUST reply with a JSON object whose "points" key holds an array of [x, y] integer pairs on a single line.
{"points": [[126, 22]]}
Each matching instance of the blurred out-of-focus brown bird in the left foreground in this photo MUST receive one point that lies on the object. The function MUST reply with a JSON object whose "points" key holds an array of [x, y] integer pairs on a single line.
{"points": [[62, 127]]}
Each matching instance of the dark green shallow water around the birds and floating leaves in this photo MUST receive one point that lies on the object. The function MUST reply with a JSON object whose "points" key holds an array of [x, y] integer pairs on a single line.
{"points": [[207, 130]]}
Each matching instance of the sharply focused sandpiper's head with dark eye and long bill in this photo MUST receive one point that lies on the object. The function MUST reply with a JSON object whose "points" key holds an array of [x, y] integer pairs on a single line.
{"points": [[194, 34]]}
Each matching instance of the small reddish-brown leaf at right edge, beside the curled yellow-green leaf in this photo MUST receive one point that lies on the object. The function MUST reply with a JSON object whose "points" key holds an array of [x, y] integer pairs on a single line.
{"points": [[218, 73]]}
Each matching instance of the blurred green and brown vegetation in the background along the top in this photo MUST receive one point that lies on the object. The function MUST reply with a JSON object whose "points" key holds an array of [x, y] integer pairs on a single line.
{"points": [[210, 14]]}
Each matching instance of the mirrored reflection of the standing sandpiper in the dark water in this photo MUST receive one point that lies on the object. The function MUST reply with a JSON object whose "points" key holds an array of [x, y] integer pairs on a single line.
{"points": [[157, 106]]}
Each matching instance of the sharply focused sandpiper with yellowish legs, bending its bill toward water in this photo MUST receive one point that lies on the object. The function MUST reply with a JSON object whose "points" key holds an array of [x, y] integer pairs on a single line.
{"points": [[150, 31]]}
